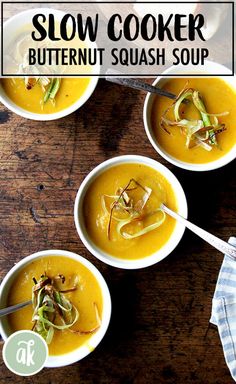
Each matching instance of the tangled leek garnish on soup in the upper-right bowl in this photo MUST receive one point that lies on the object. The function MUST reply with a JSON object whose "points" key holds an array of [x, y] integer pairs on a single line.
{"points": [[200, 132]]}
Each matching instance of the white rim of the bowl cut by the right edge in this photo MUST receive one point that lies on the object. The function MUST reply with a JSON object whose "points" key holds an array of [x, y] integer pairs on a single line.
{"points": [[215, 164]]}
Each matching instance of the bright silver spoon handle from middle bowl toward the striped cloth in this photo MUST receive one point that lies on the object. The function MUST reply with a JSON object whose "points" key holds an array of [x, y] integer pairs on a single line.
{"points": [[219, 244]]}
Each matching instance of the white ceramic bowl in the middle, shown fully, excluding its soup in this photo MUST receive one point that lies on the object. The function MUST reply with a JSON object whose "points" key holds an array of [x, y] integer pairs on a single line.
{"points": [[118, 262]]}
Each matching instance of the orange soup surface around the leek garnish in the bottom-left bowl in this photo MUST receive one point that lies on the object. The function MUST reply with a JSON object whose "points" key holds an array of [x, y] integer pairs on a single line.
{"points": [[87, 294]]}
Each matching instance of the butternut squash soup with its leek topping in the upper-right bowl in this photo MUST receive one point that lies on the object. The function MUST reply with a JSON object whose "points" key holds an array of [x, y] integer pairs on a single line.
{"points": [[200, 126]]}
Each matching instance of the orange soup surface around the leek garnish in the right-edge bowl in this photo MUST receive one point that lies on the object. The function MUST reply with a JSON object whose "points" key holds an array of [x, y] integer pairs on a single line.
{"points": [[218, 98]]}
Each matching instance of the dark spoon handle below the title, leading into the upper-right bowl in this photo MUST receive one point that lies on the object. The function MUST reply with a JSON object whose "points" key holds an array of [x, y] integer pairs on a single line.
{"points": [[141, 85]]}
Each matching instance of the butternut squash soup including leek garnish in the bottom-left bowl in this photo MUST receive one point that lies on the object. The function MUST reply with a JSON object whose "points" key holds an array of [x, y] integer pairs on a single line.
{"points": [[67, 302]]}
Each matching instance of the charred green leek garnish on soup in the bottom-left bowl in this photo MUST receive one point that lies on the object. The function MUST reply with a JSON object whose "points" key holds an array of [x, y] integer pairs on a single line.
{"points": [[53, 310]]}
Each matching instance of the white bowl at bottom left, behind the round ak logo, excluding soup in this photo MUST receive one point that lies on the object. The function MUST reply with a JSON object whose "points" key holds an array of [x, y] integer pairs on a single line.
{"points": [[84, 350]]}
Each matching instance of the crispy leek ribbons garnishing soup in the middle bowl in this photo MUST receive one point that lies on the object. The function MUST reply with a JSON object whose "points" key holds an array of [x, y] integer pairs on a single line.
{"points": [[127, 207]]}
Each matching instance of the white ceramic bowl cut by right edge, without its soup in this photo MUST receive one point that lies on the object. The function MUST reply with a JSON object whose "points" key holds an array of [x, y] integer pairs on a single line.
{"points": [[211, 67]]}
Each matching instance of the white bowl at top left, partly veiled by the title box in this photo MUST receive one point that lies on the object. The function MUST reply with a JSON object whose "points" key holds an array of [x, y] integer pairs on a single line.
{"points": [[10, 28]]}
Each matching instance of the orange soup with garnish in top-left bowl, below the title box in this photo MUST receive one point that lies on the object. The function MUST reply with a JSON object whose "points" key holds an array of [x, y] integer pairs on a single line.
{"points": [[45, 95]]}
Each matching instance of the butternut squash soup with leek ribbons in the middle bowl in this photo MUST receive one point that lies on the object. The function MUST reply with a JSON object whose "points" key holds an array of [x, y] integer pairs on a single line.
{"points": [[122, 212]]}
